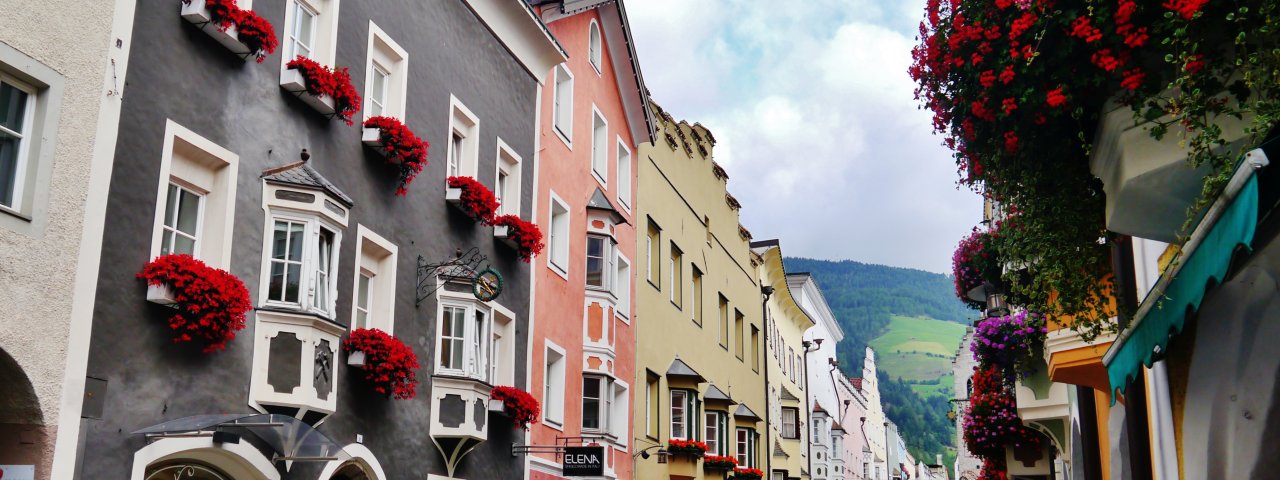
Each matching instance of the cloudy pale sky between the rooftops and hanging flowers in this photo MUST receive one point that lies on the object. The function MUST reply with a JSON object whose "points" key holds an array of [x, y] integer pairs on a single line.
{"points": [[816, 122]]}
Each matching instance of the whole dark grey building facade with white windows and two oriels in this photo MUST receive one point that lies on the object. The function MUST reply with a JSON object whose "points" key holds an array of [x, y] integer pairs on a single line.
{"points": [[203, 129]]}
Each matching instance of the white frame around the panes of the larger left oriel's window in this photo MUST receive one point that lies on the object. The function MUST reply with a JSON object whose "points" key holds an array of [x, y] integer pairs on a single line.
{"points": [[310, 269]]}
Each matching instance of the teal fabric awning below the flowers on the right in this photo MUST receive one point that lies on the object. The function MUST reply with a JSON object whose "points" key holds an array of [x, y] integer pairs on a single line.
{"points": [[1165, 310]]}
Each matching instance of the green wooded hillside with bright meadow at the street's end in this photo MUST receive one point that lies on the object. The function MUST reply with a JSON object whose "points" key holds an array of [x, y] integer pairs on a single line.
{"points": [[915, 322]]}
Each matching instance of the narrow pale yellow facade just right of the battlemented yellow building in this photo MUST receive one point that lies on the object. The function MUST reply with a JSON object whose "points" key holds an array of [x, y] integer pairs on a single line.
{"points": [[788, 441]]}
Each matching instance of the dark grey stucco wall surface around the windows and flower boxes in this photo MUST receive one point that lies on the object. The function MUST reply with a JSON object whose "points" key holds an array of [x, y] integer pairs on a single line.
{"points": [[181, 74]]}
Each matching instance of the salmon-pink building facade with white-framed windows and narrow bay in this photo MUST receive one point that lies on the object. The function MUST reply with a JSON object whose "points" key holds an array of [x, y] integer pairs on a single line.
{"points": [[593, 115]]}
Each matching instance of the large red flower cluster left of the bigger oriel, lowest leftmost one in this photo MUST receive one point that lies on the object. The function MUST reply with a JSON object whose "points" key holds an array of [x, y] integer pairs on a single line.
{"points": [[212, 303]]}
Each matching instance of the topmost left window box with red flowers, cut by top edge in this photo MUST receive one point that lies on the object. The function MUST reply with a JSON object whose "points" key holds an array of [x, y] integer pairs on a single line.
{"points": [[243, 33]]}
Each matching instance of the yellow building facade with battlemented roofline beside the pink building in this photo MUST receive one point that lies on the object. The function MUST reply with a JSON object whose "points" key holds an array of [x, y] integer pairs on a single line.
{"points": [[701, 373]]}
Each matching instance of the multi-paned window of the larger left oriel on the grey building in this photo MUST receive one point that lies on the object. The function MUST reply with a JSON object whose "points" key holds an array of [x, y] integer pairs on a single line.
{"points": [[300, 264]]}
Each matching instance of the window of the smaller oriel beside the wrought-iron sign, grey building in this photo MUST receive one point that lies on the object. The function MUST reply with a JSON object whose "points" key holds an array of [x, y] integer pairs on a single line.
{"points": [[464, 339]]}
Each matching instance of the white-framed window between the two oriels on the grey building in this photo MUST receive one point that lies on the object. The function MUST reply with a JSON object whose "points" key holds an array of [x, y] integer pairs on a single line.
{"points": [[374, 304]]}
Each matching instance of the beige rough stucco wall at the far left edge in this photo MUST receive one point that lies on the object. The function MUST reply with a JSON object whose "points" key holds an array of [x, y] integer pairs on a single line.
{"points": [[39, 257]]}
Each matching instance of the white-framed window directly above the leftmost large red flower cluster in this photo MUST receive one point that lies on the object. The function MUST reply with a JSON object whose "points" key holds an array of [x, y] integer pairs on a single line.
{"points": [[196, 198]]}
